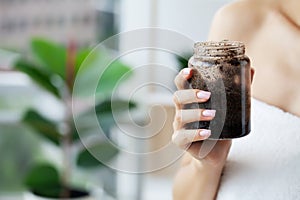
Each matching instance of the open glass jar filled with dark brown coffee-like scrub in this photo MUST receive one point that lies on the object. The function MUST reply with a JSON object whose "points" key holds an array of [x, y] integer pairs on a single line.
{"points": [[223, 69]]}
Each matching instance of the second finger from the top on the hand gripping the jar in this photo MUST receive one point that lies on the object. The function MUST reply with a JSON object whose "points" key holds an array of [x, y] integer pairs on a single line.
{"points": [[182, 97]]}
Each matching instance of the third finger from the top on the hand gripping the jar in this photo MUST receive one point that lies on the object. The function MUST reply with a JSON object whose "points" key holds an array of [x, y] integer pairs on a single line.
{"points": [[183, 117]]}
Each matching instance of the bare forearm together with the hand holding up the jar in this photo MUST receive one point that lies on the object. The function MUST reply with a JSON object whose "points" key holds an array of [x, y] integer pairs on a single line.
{"points": [[198, 177]]}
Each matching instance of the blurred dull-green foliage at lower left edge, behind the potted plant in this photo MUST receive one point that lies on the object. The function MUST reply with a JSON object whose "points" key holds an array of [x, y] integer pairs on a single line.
{"points": [[18, 150]]}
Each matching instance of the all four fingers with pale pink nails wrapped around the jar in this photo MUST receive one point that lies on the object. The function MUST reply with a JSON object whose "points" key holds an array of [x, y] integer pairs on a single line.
{"points": [[184, 138]]}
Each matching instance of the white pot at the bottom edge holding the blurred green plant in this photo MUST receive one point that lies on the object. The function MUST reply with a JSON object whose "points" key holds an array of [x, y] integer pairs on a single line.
{"points": [[76, 195]]}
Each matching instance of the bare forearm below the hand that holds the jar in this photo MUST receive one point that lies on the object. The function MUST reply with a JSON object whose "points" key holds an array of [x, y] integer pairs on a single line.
{"points": [[195, 181]]}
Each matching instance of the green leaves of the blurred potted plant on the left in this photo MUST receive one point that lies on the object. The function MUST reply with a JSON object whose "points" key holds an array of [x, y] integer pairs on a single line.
{"points": [[49, 61]]}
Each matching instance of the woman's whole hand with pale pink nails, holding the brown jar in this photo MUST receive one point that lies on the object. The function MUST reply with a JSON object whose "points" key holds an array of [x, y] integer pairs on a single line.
{"points": [[192, 139]]}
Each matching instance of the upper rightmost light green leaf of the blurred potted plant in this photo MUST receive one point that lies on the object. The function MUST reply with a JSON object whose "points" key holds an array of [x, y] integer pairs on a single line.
{"points": [[112, 76]]}
